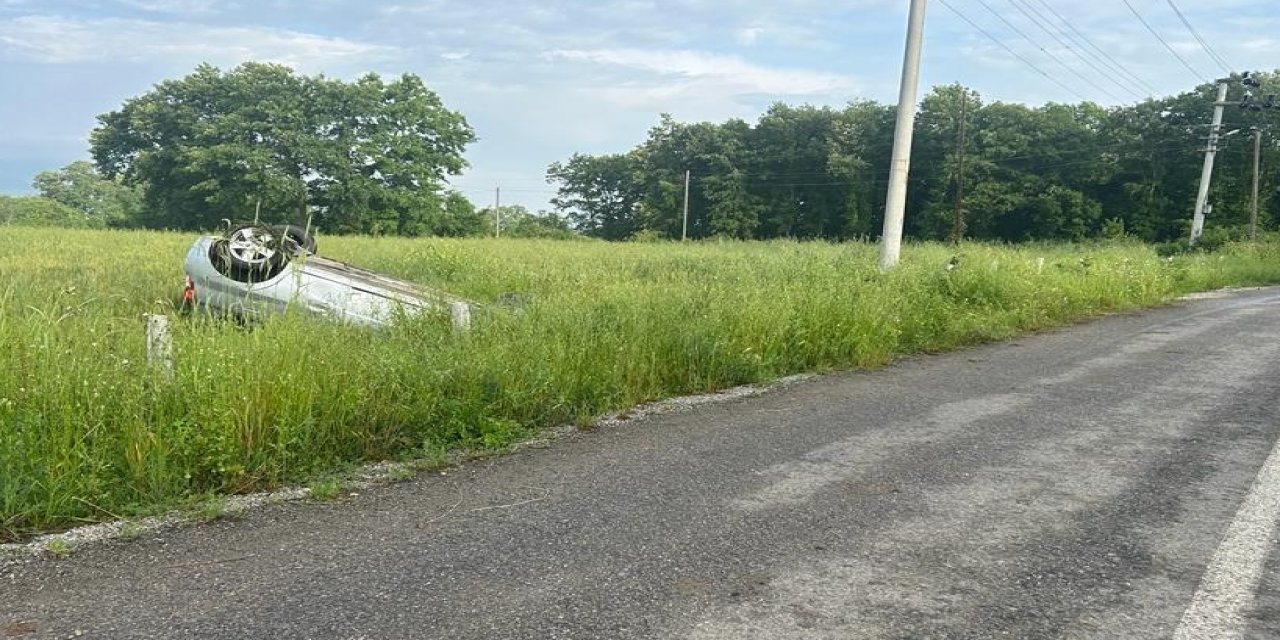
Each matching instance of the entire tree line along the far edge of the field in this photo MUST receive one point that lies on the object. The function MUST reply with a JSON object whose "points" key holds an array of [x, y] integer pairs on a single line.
{"points": [[376, 156]]}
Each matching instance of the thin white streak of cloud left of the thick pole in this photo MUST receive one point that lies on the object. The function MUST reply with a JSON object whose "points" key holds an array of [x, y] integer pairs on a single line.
{"points": [[726, 71]]}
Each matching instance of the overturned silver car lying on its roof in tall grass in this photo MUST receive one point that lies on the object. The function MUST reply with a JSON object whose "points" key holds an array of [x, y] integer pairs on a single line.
{"points": [[255, 271]]}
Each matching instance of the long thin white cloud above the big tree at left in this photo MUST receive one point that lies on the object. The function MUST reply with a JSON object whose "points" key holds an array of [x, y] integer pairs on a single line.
{"points": [[61, 42]]}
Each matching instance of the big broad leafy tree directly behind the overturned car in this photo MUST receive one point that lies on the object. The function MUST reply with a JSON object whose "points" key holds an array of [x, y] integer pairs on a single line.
{"points": [[362, 157]]}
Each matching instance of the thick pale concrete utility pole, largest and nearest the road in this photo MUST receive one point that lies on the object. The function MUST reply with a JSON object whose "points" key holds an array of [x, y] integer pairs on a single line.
{"points": [[895, 204]]}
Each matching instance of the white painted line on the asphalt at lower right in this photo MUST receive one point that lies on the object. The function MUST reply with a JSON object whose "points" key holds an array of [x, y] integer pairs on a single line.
{"points": [[1227, 589]]}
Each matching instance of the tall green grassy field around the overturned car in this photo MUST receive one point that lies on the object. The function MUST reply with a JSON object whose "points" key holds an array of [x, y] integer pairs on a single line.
{"points": [[88, 432]]}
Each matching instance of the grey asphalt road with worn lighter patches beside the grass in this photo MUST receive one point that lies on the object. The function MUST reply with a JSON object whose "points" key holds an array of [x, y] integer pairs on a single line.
{"points": [[1110, 481]]}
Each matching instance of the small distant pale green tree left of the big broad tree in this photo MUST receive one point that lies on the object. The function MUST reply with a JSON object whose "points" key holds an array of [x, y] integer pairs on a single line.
{"points": [[79, 186]]}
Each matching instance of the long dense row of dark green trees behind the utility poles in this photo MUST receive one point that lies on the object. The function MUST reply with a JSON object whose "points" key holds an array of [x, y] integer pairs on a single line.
{"points": [[1055, 172]]}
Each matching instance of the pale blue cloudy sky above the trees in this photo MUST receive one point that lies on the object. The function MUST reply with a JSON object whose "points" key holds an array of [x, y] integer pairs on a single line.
{"points": [[543, 80]]}
